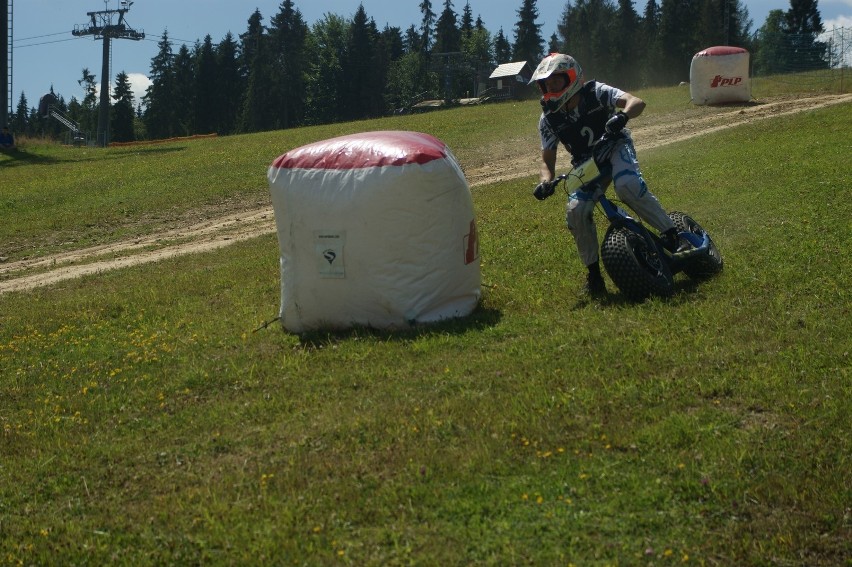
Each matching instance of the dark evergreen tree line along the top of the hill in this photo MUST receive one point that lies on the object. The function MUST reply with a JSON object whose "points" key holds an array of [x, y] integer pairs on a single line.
{"points": [[286, 73]]}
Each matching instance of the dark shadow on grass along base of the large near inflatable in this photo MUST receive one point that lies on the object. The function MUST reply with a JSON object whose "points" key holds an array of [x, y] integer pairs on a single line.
{"points": [[481, 318]]}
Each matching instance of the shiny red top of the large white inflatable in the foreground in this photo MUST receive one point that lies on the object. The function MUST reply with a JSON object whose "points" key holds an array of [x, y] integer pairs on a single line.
{"points": [[366, 149]]}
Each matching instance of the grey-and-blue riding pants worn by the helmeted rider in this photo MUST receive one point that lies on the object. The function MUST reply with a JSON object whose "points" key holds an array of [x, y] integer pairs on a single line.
{"points": [[630, 188]]}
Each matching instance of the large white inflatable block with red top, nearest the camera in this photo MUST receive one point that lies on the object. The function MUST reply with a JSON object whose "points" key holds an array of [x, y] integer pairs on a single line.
{"points": [[375, 229]]}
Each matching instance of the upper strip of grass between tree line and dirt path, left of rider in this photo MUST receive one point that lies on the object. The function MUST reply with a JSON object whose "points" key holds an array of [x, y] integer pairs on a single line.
{"points": [[55, 198]]}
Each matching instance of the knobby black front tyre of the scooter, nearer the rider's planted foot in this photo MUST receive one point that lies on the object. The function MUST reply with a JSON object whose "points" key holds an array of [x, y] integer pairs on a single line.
{"points": [[637, 269]]}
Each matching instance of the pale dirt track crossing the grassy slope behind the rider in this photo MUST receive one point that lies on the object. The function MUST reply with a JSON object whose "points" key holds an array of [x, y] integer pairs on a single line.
{"points": [[517, 158]]}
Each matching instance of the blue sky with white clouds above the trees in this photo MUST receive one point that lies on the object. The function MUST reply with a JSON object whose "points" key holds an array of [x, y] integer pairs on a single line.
{"points": [[46, 54]]}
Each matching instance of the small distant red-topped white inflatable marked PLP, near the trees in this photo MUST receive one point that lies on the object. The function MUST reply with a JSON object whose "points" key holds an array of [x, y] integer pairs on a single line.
{"points": [[720, 74]]}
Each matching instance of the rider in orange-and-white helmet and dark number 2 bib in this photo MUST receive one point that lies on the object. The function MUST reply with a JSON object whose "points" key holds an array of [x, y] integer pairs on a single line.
{"points": [[577, 113]]}
